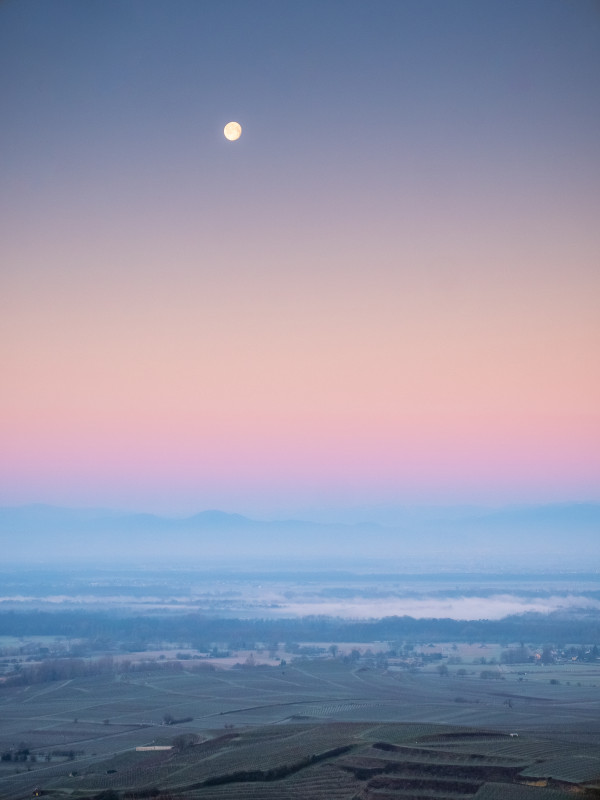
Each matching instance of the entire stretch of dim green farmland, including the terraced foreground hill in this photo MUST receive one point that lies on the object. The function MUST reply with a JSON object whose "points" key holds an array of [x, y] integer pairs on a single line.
{"points": [[312, 728]]}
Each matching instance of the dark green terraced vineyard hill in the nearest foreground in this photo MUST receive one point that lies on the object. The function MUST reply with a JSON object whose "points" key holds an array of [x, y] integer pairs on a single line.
{"points": [[341, 761]]}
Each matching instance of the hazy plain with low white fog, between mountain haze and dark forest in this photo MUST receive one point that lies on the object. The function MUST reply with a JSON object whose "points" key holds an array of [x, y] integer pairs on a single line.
{"points": [[276, 595]]}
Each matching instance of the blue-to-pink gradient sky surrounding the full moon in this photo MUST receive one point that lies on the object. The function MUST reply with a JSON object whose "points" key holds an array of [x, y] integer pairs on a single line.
{"points": [[385, 292]]}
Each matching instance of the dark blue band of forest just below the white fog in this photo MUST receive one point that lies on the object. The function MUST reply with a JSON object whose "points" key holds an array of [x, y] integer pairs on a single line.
{"points": [[104, 630]]}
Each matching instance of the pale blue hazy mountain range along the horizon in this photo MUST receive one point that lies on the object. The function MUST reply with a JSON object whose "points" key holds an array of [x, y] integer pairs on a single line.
{"points": [[560, 536]]}
